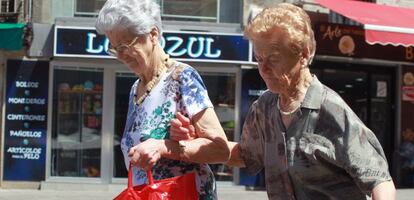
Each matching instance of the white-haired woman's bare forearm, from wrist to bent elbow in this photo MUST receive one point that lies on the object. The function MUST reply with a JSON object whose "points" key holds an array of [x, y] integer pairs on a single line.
{"points": [[200, 150]]}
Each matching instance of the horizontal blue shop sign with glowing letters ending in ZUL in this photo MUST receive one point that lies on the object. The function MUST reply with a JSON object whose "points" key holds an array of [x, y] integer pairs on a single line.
{"points": [[208, 47]]}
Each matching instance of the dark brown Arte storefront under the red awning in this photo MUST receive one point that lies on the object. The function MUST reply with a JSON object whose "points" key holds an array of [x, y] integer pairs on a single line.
{"points": [[370, 79]]}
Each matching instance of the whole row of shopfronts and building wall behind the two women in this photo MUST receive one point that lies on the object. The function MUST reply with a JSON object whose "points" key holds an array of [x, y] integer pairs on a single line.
{"points": [[64, 99]]}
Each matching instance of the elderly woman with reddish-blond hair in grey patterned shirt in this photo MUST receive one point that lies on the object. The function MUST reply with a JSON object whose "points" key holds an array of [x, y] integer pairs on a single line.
{"points": [[308, 140]]}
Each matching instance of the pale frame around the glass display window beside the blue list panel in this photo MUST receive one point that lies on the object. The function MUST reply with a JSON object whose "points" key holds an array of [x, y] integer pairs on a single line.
{"points": [[109, 66]]}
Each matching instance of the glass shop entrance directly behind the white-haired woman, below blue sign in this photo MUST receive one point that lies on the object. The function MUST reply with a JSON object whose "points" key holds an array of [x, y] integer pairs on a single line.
{"points": [[221, 86]]}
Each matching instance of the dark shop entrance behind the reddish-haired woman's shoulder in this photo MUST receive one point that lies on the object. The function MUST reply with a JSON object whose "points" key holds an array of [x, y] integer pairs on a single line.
{"points": [[369, 90]]}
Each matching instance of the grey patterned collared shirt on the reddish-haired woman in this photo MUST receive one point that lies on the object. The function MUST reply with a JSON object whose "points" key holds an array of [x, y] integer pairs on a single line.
{"points": [[326, 153]]}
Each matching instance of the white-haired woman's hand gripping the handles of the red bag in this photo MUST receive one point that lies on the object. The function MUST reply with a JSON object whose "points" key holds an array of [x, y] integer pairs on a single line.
{"points": [[146, 154]]}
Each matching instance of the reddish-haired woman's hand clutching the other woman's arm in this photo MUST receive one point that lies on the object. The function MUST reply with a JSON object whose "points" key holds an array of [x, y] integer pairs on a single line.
{"points": [[181, 128]]}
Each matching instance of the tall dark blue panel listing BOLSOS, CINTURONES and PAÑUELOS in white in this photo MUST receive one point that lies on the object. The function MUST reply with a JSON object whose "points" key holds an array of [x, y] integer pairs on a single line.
{"points": [[26, 120]]}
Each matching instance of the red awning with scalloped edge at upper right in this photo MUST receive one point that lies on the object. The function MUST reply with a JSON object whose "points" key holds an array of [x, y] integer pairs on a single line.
{"points": [[383, 24]]}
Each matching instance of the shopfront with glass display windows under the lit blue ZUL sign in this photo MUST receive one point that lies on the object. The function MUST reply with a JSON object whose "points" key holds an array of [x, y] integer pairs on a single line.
{"points": [[89, 94]]}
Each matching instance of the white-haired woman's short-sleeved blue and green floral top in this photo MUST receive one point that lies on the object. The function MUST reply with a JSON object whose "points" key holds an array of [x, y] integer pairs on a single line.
{"points": [[179, 89]]}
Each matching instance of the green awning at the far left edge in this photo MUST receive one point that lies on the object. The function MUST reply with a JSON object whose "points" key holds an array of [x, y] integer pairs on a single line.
{"points": [[11, 36]]}
